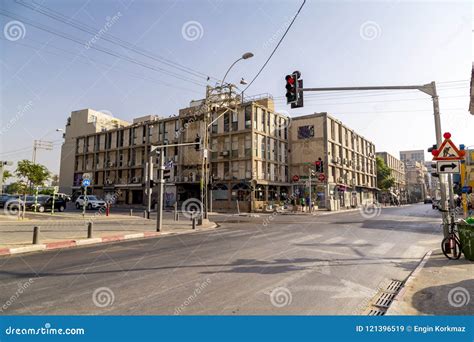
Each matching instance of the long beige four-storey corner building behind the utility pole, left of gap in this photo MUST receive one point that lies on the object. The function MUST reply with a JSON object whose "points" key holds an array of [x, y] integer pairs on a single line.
{"points": [[248, 156]]}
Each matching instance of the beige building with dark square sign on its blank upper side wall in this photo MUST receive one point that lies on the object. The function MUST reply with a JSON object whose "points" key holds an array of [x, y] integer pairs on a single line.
{"points": [[349, 170]]}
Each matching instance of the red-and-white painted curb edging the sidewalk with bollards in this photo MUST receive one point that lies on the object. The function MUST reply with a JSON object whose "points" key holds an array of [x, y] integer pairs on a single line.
{"points": [[4, 252]]}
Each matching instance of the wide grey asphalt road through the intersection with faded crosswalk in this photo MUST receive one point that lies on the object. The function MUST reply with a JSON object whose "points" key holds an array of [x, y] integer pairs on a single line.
{"points": [[278, 264]]}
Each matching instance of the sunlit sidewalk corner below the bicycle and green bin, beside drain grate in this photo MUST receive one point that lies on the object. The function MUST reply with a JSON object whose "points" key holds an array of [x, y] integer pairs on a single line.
{"points": [[437, 287]]}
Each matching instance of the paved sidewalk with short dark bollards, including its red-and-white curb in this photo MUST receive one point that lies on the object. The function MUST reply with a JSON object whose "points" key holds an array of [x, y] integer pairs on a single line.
{"points": [[62, 232]]}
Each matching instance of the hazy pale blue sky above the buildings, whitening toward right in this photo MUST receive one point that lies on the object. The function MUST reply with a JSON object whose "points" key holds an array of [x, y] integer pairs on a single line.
{"points": [[44, 75]]}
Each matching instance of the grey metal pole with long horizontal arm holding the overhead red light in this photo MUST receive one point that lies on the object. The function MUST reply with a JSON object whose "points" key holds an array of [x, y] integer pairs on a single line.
{"points": [[429, 89]]}
